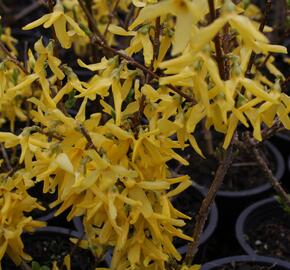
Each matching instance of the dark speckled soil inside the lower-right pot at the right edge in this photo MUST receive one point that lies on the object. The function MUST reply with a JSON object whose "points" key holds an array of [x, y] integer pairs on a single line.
{"points": [[272, 236]]}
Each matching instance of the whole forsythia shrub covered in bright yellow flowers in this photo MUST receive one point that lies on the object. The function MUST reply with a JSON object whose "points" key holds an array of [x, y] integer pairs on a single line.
{"points": [[104, 144]]}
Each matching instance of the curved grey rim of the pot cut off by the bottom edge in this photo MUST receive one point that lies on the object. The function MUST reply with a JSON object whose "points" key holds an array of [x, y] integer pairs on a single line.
{"points": [[245, 258]]}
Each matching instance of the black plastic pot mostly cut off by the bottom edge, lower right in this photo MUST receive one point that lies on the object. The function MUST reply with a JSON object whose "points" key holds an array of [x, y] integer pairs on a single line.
{"points": [[273, 263]]}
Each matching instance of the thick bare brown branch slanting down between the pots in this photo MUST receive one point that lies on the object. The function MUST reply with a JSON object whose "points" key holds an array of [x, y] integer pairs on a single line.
{"points": [[207, 203]]}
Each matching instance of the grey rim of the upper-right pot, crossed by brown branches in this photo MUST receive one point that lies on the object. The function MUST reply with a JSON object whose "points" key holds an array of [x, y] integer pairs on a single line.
{"points": [[260, 189]]}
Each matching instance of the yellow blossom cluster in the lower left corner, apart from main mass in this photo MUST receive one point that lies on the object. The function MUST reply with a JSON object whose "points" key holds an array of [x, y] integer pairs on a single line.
{"points": [[15, 205]]}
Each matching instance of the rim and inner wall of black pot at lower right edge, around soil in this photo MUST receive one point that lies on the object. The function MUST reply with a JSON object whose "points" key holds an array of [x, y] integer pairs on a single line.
{"points": [[254, 215]]}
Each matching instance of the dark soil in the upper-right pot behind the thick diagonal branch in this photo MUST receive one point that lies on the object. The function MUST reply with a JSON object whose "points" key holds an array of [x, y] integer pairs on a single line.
{"points": [[244, 173]]}
